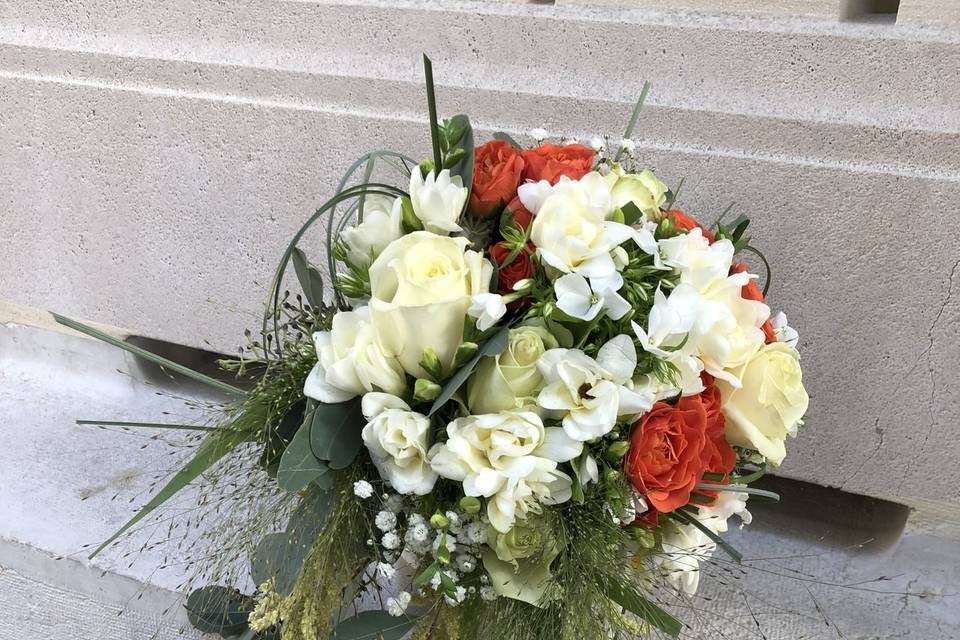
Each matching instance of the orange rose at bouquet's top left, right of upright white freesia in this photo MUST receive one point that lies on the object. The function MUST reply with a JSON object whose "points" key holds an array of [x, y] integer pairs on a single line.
{"points": [[497, 169]]}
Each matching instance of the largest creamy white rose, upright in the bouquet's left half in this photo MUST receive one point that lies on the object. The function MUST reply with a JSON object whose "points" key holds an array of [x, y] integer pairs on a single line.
{"points": [[421, 288]]}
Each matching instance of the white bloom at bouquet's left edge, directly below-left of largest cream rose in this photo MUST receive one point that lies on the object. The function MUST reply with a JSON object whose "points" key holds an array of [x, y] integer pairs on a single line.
{"points": [[350, 362]]}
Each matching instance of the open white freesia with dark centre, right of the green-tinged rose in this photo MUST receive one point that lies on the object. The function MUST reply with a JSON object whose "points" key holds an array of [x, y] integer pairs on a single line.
{"points": [[590, 394]]}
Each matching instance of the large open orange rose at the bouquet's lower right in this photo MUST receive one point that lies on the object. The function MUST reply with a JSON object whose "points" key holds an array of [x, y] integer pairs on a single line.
{"points": [[668, 453]]}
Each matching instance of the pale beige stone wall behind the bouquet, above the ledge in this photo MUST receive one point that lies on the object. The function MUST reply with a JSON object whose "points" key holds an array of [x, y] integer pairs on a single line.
{"points": [[156, 160]]}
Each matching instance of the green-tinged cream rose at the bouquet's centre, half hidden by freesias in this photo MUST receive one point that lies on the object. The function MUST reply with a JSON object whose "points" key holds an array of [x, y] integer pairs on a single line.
{"points": [[510, 380]]}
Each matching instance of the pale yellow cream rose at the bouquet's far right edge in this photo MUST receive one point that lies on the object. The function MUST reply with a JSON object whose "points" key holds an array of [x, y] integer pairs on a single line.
{"points": [[770, 403]]}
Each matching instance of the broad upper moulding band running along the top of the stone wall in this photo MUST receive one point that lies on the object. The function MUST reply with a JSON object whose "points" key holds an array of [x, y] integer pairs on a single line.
{"points": [[800, 74]]}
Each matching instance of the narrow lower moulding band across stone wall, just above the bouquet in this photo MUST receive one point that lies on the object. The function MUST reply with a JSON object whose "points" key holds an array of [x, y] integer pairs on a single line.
{"points": [[839, 146]]}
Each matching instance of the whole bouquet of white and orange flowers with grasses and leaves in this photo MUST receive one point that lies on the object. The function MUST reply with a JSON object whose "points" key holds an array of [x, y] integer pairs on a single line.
{"points": [[527, 405]]}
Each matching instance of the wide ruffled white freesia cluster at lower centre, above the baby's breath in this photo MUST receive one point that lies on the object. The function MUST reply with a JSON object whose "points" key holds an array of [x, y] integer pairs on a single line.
{"points": [[508, 458]]}
